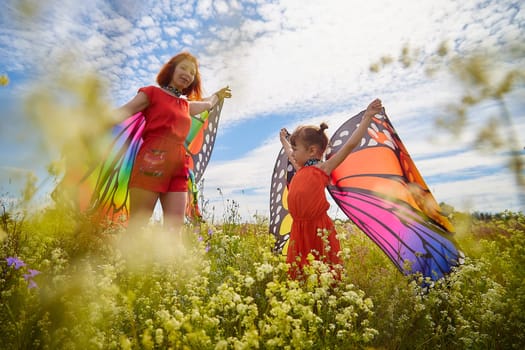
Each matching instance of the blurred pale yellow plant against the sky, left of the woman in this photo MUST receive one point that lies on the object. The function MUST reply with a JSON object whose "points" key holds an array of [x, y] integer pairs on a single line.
{"points": [[71, 111]]}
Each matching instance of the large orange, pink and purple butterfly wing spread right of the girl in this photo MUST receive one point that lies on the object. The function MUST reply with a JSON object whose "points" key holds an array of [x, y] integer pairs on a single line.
{"points": [[380, 189]]}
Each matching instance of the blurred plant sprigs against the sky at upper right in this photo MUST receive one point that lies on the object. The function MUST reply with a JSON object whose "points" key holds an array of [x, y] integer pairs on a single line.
{"points": [[486, 75]]}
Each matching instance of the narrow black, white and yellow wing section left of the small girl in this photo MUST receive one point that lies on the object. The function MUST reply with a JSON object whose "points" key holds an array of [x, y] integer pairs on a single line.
{"points": [[280, 218]]}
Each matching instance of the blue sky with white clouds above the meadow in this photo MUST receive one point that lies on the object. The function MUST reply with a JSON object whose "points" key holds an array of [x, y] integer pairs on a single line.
{"points": [[288, 62]]}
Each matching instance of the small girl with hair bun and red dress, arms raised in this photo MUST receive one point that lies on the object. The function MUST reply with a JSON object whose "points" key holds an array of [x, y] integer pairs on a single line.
{"points": [[313, 231]]}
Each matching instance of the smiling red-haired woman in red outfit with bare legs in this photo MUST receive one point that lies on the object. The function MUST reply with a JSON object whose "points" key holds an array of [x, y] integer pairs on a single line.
{"points": [[160, 170]]}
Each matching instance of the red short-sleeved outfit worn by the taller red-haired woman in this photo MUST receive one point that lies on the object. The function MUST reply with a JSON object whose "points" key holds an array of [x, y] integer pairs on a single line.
{"points": [[161, 164]]}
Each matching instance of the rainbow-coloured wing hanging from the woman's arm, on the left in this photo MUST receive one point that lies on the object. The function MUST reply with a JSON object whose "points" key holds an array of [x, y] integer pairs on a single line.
{"points": [[109, 182]]}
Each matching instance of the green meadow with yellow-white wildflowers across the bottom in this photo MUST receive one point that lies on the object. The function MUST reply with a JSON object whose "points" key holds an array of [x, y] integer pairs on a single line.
{"points": [[221, 287]]}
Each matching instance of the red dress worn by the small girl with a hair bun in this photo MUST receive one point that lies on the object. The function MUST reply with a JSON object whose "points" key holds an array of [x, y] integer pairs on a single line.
{"points": [[308, 207]]}
